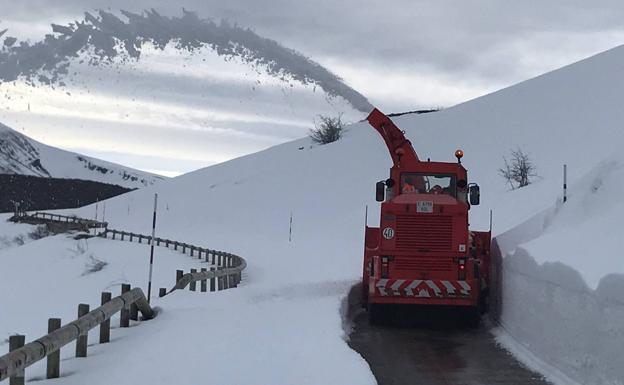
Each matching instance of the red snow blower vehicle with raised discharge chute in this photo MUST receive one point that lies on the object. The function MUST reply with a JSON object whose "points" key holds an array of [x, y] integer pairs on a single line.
{"points": [[423, 252]]}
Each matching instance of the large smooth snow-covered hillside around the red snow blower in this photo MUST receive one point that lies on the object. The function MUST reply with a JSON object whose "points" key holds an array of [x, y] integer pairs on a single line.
{"points": [[558, 302]]}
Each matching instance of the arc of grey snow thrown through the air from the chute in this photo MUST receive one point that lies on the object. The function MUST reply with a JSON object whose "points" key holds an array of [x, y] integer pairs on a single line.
{"points": [[47, 60]]}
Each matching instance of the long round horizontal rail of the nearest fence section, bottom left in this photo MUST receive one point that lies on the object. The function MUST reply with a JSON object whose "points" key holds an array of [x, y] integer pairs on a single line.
{"points": [[14, 363]]}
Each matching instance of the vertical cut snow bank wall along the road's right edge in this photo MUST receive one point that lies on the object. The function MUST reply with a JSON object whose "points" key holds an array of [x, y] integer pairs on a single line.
{"points": [[550, 310]]}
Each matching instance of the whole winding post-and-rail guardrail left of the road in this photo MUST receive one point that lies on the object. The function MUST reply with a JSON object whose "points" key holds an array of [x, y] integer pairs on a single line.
{"points": [[225, 273]]}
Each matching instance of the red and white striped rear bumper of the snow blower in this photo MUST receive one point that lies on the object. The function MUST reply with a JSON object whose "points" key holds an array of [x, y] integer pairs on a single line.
{"points": [[419, 288]]}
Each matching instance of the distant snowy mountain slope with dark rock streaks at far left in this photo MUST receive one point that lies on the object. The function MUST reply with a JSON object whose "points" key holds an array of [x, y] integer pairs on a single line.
{"points": [[20, 154]]}
